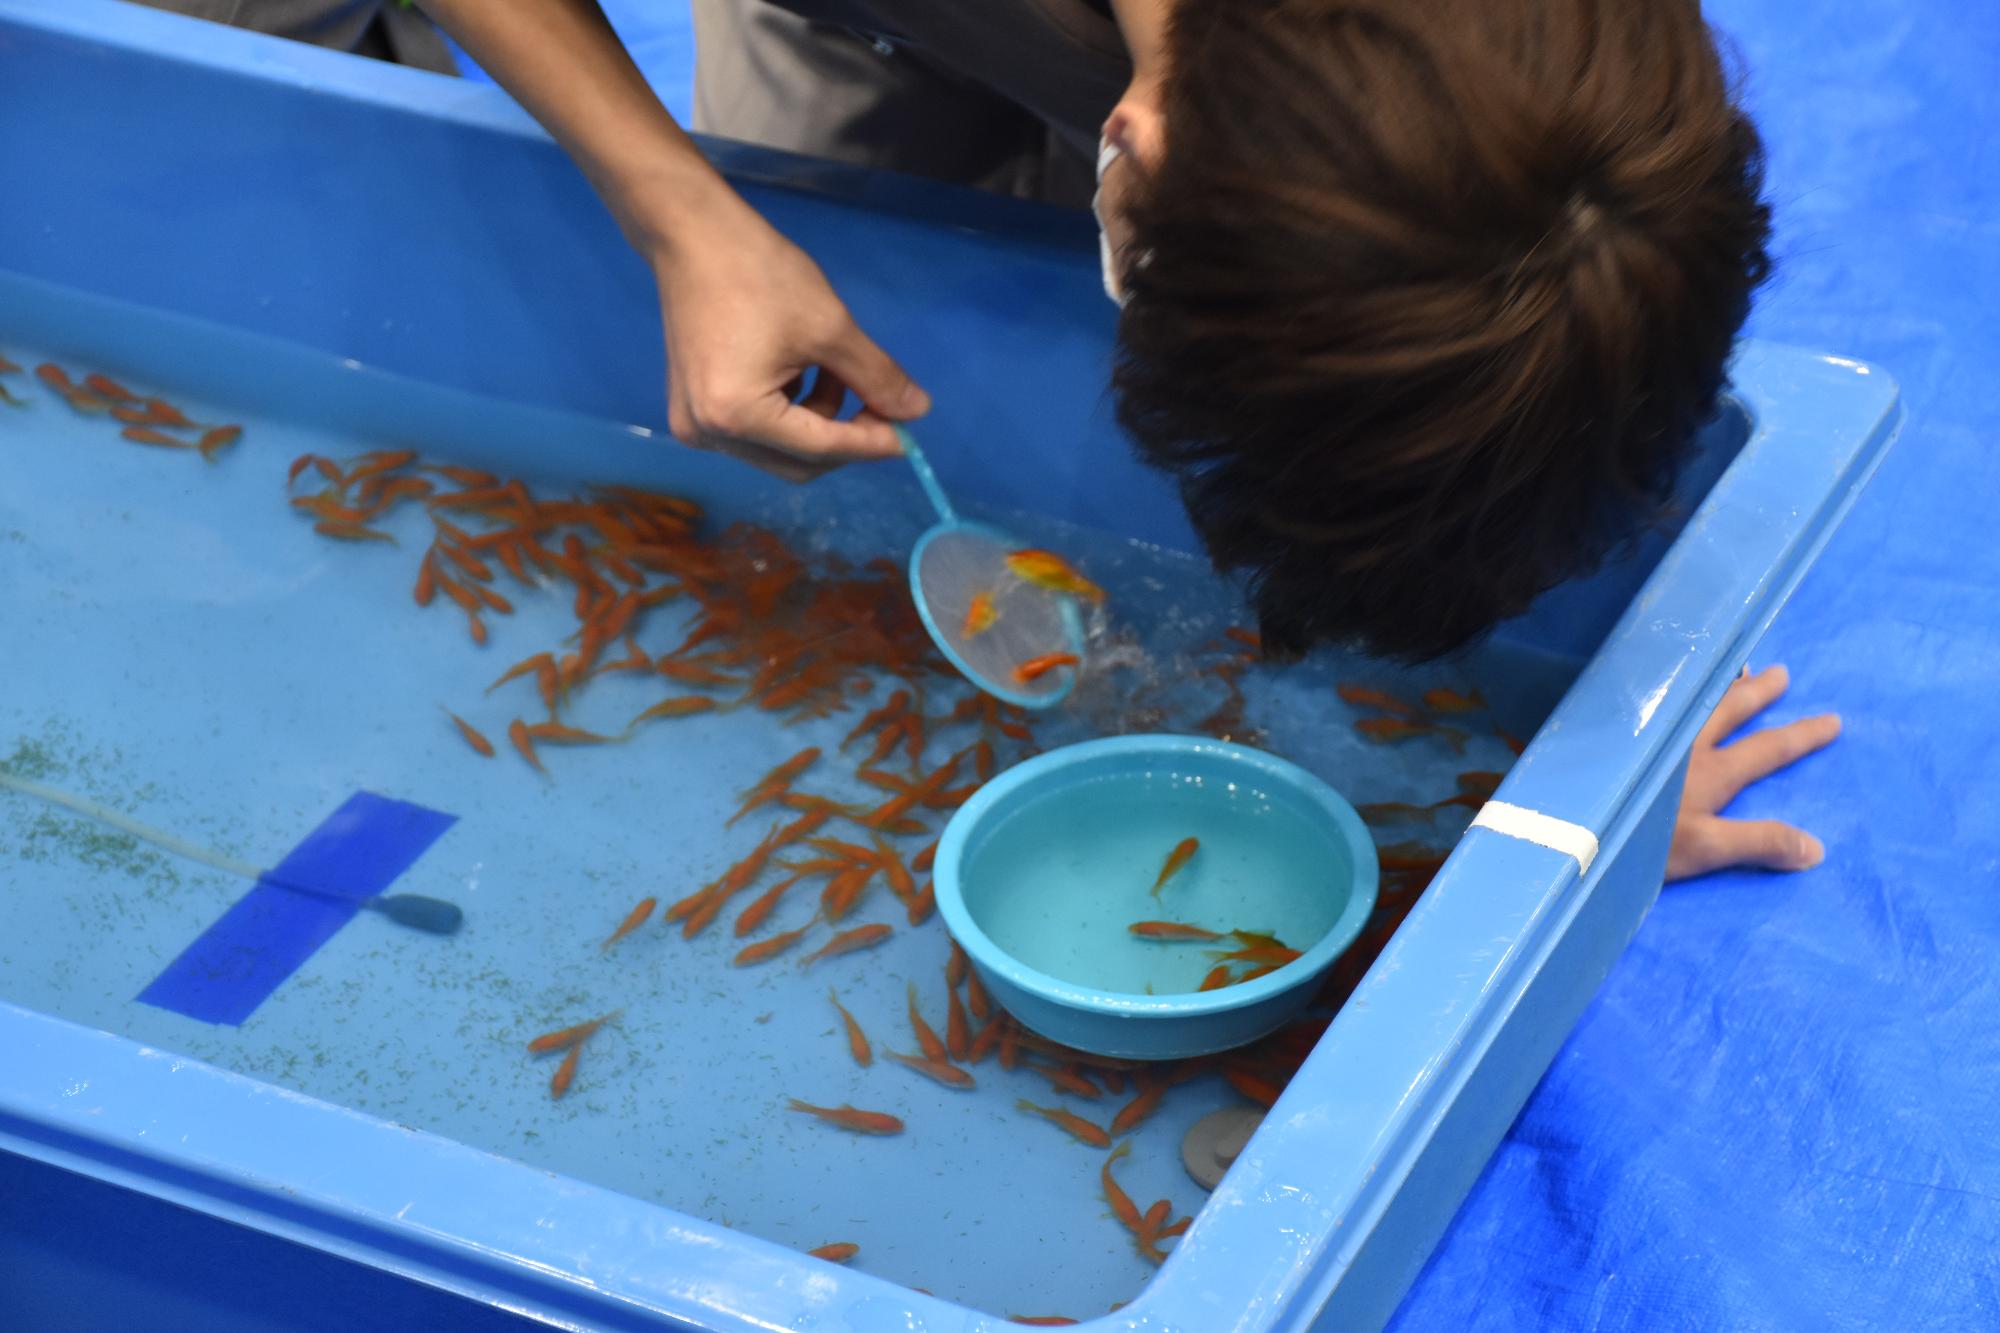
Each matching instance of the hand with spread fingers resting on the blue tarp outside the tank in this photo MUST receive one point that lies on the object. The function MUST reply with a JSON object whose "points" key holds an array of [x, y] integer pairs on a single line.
{"points": [[1703, 840]]}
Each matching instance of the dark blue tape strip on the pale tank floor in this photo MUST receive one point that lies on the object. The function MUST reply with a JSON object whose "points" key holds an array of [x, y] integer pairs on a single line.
{"points": [[271, 932]]}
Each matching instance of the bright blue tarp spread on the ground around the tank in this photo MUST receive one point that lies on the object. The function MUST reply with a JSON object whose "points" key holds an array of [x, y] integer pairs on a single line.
{"points": [[1785, 1108]]}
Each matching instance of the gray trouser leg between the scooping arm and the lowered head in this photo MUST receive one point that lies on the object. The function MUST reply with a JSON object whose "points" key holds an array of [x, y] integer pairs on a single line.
{"points": [[769, 77]]}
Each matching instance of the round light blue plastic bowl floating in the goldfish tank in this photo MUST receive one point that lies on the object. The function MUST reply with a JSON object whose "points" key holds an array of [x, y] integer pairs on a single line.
{"points": [[1043, 872]]}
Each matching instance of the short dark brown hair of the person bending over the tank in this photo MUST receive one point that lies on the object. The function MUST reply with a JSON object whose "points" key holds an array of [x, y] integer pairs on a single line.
{"points": [[1433, 295]]}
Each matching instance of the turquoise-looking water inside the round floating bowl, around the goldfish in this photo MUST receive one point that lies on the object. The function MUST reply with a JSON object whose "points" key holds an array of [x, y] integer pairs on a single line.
{"points": [[1061, 880]]}
